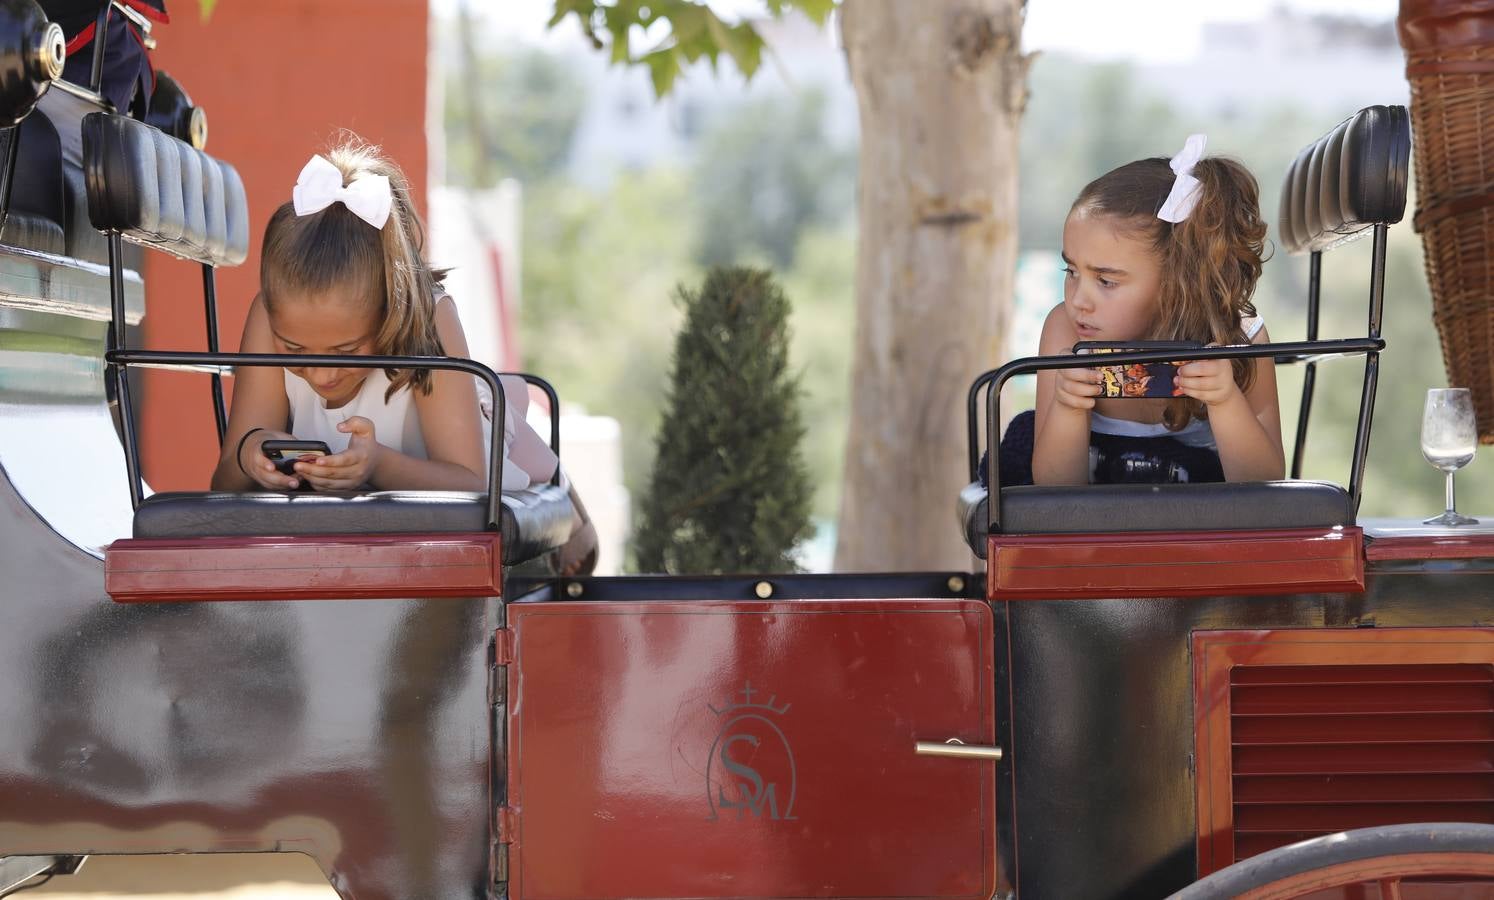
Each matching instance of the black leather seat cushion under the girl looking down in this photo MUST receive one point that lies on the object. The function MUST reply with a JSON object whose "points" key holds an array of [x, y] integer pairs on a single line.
{"points": [[534, 521]]}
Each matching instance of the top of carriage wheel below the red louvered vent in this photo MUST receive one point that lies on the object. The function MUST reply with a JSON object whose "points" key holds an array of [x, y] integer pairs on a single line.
{"points": [[1384, 857]]}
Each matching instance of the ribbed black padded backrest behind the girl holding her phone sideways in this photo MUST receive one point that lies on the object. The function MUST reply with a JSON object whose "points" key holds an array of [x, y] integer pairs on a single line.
{"points": [[1348, 180]]}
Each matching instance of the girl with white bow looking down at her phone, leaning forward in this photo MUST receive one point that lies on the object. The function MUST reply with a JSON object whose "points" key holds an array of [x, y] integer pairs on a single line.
{"points": [[341, 273]]}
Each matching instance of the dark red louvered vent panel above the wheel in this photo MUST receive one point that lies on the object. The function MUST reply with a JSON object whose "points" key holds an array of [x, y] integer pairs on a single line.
{"points": [[1324, 748]]}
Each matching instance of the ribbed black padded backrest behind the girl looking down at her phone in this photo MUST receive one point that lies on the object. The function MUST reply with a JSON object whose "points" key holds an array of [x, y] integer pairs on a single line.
{"points": [[161, 192]]}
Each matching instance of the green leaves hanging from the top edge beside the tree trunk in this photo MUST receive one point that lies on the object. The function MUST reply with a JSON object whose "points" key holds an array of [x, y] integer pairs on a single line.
{"points": [[691, 32]]}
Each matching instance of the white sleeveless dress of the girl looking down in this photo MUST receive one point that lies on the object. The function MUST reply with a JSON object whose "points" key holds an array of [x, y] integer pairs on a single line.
{"points": [[397, 424]]}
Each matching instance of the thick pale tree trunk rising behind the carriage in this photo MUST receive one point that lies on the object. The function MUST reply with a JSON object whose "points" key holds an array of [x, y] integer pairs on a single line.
{"points": [[940, 86]]}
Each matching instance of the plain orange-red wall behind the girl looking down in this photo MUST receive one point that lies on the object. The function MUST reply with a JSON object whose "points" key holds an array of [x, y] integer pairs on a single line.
{"points": [[279, 78]]}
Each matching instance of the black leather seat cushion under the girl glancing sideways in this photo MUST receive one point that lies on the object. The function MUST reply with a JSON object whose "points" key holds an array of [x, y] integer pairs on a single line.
{"points": [[1096, 509]]}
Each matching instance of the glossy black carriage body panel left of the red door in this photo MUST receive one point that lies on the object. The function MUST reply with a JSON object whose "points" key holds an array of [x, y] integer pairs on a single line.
{"points": [[356, 732]]}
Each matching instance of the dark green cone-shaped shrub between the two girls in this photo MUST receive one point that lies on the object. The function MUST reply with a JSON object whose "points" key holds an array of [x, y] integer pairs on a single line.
{"points": [[730, 490]]}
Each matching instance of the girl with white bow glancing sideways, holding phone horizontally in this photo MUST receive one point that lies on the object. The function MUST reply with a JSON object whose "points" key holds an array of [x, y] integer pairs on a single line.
{"points": [[1159, 250]]}
